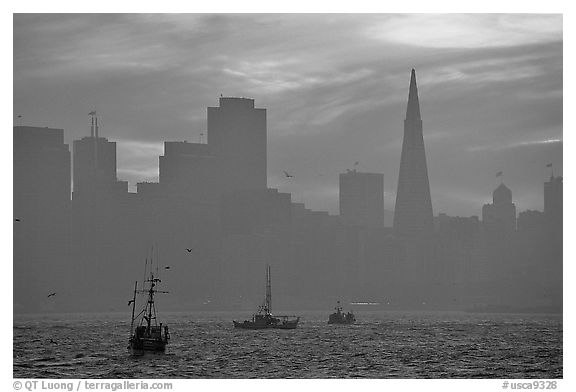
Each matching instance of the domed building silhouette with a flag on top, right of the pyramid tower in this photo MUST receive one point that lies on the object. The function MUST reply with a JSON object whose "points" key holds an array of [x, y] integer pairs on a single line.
{"points": [[500, 216]]}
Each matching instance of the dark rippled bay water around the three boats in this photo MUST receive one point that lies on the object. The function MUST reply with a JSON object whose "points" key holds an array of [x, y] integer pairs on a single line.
{"points": [[380, 345]]}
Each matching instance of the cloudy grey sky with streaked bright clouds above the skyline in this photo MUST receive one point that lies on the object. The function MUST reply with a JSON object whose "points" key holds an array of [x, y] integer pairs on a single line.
{"points": [[335, 87]]}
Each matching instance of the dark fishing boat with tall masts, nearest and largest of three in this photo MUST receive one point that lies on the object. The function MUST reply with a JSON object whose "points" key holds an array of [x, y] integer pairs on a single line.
{"points": [[149, 336]]}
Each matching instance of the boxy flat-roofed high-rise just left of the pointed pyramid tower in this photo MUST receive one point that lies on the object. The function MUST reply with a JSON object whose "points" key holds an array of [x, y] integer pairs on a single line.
{"points": [[362, 198]]}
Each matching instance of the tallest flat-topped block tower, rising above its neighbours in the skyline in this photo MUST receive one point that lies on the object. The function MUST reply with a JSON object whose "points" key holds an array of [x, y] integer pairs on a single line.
{"points": [[237, 136]]}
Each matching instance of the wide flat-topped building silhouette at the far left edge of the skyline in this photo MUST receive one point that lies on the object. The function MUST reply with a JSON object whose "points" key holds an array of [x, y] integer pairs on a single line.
{"points": [[41, 204]]}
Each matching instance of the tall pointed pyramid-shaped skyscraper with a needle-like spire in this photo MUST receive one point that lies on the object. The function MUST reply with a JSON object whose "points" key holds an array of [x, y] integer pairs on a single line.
{"points": [[413, 212]]}
